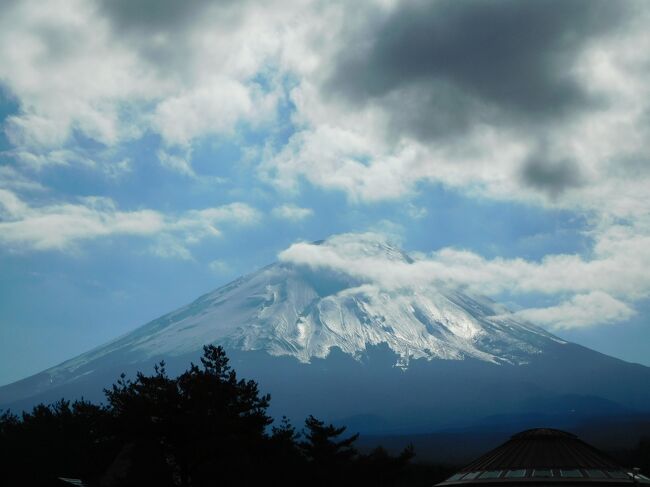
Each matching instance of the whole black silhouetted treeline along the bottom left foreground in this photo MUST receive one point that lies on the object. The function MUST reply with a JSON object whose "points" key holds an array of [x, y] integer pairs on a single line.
{"points": [[204, 427]]}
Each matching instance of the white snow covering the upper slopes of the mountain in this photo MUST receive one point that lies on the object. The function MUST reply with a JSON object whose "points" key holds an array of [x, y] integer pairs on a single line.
{"points": [[292, 309]]}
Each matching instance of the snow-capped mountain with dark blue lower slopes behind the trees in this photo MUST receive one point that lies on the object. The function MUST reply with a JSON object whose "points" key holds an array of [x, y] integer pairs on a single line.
{"points": [[408, 357]]}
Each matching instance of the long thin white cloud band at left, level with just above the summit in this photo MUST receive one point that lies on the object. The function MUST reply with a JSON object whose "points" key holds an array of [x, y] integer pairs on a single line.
{"points": [[63, 226]]}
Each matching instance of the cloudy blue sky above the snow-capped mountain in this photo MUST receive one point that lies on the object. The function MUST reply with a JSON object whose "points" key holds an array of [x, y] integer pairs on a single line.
{"points": [[153, 150]]}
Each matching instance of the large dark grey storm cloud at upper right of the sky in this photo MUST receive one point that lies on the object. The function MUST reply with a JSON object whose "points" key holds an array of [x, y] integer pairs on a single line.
{"points": [[441, 66]]}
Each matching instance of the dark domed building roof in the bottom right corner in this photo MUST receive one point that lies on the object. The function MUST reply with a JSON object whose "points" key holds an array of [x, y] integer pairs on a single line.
{"points": [[544, 456]]}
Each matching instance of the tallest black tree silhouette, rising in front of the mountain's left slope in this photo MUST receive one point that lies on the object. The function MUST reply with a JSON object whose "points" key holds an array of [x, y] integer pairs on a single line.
{"points": [[207, 422]]}
